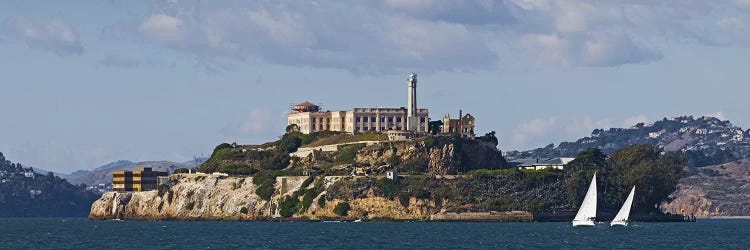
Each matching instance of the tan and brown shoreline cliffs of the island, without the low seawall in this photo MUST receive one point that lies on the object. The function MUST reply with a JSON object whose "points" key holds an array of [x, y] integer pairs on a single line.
{"points": [[232, 198]]}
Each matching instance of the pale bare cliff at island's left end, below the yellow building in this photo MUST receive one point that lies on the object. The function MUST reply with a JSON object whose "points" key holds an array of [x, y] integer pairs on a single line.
{"points": [[188, 198]]}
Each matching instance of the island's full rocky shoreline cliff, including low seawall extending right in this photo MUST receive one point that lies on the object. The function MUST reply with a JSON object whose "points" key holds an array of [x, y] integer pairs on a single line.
{"points": [[192, 197]]}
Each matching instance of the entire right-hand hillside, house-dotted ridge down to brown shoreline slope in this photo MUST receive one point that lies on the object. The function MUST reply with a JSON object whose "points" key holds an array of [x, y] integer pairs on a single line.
{"points": [[718, 154]]}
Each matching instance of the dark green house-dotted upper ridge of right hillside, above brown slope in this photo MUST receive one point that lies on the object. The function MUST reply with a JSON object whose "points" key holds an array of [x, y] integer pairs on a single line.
{"points": [[703, 141]]}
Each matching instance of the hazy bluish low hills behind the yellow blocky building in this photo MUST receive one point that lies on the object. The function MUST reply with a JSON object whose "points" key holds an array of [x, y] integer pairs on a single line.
{"points": [[103, 174]]}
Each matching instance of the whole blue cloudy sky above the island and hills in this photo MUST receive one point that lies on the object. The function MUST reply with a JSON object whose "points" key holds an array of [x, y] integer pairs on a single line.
{"points": [[84, 83]]}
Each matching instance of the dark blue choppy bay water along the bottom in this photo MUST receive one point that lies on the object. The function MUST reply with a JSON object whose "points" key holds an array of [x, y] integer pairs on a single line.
{"points": [[85, 234]]}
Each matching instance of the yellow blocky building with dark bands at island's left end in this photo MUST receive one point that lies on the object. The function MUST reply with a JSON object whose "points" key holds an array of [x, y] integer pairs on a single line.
{"points": [[138, 180]]}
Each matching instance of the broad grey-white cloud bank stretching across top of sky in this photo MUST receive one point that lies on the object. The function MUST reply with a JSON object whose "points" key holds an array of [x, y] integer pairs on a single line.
{"points": [[429, 35]]}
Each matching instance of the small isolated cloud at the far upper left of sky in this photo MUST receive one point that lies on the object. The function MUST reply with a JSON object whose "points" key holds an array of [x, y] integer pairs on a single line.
{"points": [[54, 35]]}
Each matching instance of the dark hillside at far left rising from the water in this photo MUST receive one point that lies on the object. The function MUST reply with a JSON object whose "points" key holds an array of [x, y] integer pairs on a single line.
{"points": [[24, 193]]}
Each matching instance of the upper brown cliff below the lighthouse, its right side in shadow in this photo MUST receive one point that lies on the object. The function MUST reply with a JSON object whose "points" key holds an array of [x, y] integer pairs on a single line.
{"points": [[440, 156]]}
